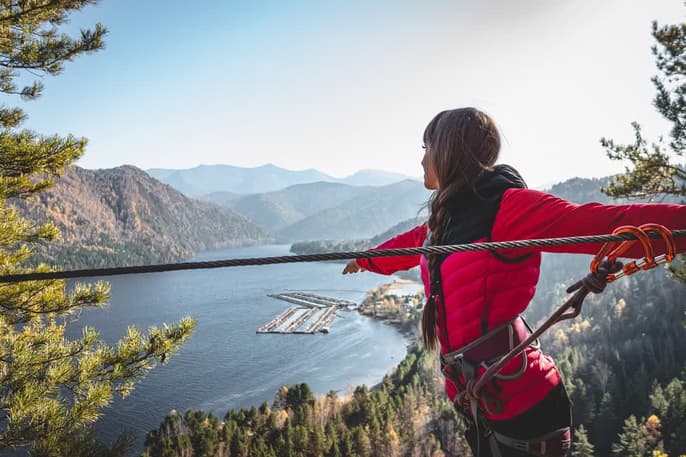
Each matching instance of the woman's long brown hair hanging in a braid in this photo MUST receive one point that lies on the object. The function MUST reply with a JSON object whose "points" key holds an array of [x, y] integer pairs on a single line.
{"points": [[462, 143]]}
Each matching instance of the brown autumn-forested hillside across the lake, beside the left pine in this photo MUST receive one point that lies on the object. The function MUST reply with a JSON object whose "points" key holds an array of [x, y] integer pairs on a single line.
{"points": [[123, 216]]}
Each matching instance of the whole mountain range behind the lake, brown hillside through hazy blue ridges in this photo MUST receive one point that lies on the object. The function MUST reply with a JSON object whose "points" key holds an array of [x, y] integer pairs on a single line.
{"points": [[124, 216]]}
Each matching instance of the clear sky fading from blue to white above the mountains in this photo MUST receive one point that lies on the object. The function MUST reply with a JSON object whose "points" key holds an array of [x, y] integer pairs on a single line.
{"points": [[341, 86]]}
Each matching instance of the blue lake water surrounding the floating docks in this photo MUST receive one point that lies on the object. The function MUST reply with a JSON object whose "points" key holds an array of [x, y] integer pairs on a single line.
{"points": [[226, 364]]}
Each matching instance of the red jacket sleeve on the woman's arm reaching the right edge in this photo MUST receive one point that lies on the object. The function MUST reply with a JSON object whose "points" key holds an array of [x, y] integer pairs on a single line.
{"points": [[530, 214]]}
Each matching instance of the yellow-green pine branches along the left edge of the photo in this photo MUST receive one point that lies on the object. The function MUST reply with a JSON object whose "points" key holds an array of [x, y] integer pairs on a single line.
{"points": [[51, 388]]}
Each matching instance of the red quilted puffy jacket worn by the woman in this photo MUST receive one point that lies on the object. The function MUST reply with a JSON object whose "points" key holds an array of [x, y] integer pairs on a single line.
{"points": [[474, 281]]}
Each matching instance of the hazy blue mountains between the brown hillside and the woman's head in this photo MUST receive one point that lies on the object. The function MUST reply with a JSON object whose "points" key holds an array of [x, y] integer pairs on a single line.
{"points": [[317, 206]]}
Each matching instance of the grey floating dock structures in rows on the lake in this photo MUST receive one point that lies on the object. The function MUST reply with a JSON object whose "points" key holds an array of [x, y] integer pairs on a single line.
{"points": [[317, 310]]}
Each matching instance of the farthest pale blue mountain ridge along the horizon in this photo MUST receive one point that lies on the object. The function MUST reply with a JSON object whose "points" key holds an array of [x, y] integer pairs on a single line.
{"points": [[207, 179]]}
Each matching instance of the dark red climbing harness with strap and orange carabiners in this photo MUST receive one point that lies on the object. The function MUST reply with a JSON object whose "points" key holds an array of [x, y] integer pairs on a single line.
{"points": [[496, 348]]}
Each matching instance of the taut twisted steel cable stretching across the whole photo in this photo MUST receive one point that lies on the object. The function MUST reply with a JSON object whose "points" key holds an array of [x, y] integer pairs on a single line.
{"points": [[440, 250]]}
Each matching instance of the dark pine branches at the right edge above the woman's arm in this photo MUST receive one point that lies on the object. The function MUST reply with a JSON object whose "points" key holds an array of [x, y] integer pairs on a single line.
{"points": [[652, 171]]}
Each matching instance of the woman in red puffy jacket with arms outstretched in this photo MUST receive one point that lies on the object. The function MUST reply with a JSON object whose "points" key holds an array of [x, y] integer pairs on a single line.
{"points": [[475, 298]]}
